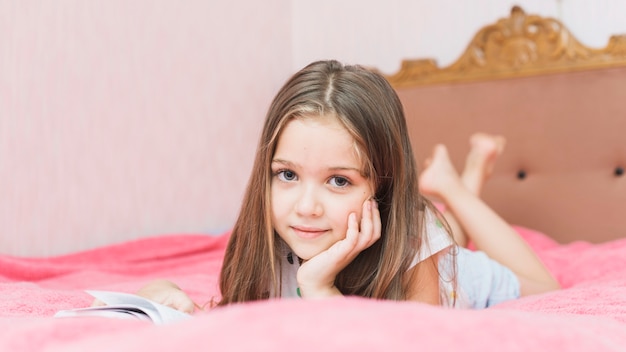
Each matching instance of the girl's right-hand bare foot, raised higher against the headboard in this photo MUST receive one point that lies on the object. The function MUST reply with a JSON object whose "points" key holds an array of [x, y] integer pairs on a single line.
{"points": [[480, 161]]}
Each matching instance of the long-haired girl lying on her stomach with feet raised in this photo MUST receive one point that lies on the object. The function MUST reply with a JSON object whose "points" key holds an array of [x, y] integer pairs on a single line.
{"points": [[333, 208]]}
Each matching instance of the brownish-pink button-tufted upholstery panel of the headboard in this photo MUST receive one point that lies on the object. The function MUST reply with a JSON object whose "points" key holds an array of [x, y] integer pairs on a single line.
{"points": [[562, 171]]}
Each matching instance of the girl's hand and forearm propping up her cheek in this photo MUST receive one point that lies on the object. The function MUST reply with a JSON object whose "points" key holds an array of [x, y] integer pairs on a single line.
{"points": [[316, 277]]}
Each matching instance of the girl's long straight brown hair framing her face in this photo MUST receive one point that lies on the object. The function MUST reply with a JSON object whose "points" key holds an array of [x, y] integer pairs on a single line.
{"points": [[368, 107]]}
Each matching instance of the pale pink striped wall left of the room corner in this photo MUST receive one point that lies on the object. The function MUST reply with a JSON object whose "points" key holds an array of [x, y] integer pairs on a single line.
{"points": [[122, 119]]}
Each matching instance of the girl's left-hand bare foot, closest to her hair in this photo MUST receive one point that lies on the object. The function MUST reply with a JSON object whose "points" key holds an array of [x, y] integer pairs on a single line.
{"points": [[439, 178]]}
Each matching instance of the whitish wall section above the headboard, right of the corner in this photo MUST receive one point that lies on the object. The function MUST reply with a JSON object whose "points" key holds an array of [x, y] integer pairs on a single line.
{"points": [[380, 33]]}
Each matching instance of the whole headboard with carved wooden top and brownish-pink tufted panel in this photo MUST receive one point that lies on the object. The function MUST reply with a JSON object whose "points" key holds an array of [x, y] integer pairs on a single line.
{"points": [[560, 105]]}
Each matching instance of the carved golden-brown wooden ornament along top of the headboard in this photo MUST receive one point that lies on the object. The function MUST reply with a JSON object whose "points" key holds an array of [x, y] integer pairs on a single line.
{"points": [[517, 46]]}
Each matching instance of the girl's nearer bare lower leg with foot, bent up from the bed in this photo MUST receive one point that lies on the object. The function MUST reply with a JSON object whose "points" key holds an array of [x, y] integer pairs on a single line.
{"points": [[487, 230]]}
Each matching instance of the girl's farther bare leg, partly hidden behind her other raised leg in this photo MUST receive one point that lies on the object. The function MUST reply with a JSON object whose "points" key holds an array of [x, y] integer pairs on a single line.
{"points": [[479, 163]]}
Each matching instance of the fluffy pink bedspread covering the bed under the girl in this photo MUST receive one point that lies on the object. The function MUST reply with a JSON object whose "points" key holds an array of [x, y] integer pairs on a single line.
{"points": [[589, 314]]}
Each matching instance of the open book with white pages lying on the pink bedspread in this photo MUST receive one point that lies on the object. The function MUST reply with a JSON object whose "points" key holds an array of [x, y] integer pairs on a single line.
{"points": [[126, 306]]}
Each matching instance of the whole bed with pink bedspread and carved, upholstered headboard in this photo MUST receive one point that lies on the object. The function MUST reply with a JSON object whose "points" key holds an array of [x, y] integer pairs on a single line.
{"points": [[560, 105]]}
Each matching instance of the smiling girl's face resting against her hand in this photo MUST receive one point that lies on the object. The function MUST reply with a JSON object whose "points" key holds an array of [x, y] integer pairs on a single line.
{"points": [[317, 181]]}
